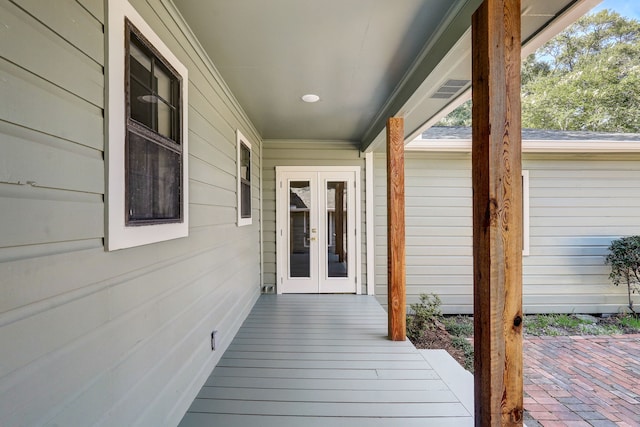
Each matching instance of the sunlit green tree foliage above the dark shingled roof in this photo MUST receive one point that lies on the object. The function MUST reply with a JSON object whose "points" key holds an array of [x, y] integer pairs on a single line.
{"points": [[586, 78]]}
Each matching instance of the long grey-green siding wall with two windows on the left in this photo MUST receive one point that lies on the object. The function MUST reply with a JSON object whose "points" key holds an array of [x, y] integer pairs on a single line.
{"points": [[91, 337]]}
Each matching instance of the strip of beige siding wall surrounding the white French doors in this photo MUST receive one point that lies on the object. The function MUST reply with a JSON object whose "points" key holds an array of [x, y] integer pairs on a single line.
{"points": [[304, 153]]}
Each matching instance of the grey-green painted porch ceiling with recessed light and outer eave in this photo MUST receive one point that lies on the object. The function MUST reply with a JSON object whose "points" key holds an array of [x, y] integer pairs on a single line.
{"points": [[366, 59]]}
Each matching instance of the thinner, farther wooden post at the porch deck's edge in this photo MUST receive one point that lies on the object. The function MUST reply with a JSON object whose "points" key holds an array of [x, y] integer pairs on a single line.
{"points": [[396, 278]]}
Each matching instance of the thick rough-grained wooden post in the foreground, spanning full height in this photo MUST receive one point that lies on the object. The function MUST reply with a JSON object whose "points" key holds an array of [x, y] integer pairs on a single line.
{"points": [[497, 213]]}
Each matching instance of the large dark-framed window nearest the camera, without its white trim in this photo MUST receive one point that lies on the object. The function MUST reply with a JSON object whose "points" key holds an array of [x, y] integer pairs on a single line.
{"points": [[153, 144]]}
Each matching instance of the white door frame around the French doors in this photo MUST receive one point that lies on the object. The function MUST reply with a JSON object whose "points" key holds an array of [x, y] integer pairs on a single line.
{"points": [[281, 249]]}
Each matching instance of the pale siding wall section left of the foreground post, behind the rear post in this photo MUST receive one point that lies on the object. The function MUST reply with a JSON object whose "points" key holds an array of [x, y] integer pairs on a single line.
{"points": [[438, 235]]}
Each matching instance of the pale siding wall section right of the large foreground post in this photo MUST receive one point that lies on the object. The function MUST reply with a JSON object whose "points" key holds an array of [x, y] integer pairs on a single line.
{"points": [[578, 205]]}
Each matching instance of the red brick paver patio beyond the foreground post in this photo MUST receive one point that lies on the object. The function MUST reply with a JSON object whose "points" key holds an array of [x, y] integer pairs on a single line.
{"points": [[582, 381]]}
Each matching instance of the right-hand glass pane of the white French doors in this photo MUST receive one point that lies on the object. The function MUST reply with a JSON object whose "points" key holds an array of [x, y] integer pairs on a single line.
{"points": [[337, 228]]}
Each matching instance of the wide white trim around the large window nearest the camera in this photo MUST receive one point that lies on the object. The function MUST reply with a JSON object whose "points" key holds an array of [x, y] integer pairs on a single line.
{"points": [[118, 235]]}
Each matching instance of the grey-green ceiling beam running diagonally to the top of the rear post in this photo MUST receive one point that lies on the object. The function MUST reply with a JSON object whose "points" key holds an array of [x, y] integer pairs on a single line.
{"points": [[431, 55]]}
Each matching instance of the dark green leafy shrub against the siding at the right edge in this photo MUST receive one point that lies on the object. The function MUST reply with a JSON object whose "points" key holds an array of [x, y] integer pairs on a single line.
{"points": [[624, 259]]}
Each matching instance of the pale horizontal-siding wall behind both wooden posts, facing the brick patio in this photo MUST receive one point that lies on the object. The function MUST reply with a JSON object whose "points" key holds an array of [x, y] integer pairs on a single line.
{"points": [[578, 204]]}
